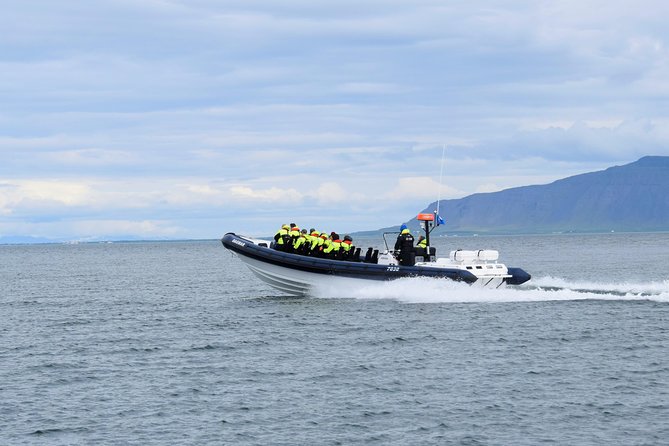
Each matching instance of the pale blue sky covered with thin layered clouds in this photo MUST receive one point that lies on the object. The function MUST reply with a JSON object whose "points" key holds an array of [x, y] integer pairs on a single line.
{"points": [[181, 119]]}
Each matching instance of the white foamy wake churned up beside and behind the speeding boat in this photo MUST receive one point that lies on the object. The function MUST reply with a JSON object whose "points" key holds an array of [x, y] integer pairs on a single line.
{"points": [[426, 290]]}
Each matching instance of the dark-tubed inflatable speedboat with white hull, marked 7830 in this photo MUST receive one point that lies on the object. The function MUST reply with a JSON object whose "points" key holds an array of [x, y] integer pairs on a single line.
{"points": [[297, 274]]}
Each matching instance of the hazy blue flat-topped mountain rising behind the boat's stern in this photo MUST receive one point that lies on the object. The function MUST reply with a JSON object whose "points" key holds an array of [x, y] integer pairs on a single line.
{"points": [[633, 197]]}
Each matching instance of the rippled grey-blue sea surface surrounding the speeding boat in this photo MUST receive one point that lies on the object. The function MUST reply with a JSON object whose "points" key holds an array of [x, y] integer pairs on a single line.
{"points": [[178, 343]]}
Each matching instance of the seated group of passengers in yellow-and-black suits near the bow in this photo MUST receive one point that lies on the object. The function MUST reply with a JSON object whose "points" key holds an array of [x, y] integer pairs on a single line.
{"points": [[290, 238]]}
